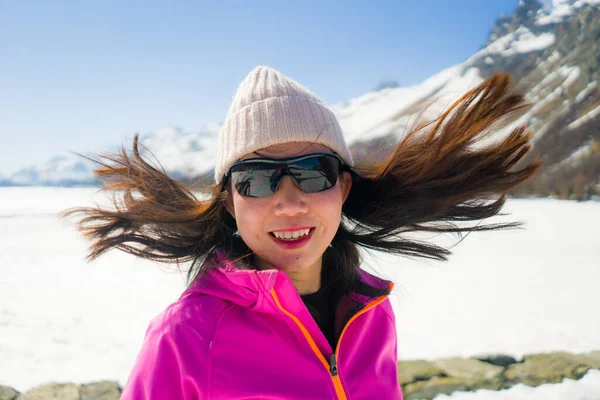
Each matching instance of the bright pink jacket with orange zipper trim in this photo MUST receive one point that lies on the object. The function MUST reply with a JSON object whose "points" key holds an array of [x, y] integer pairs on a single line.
{"points": [[246, 334]]}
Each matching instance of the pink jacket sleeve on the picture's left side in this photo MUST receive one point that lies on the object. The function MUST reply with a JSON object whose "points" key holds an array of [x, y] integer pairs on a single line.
{"points": [[172, 364]]}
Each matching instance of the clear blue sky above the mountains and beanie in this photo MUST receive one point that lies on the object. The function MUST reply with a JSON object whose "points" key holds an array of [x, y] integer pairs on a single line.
{"points": [[84, 75]]}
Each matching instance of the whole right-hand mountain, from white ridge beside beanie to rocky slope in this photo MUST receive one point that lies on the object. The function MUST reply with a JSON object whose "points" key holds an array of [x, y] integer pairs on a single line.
{"points": [[553, 56]]}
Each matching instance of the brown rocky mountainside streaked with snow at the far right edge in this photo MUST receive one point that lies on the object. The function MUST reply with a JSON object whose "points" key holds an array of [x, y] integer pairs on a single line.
{"points": [[561, 75]]}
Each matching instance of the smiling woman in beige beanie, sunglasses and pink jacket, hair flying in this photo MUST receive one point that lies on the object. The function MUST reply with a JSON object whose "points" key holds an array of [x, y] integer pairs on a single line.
{"points": [[277, 306]]}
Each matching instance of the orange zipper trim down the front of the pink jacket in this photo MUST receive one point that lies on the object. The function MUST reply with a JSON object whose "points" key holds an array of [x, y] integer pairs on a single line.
{"points": [[332, 365]]}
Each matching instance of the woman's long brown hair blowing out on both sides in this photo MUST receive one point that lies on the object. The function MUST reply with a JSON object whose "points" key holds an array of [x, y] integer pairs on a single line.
{"points": [[439, 178]]}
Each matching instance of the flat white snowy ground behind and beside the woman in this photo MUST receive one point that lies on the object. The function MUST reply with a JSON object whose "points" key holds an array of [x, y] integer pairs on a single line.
{"points": [[516, 292]]}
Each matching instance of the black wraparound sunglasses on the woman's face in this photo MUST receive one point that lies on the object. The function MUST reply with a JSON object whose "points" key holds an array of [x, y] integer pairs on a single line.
{"points": [[260, 177]]}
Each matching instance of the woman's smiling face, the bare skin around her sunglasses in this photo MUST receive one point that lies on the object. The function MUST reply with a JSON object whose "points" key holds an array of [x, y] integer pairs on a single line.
{"points": [[288, 210]]}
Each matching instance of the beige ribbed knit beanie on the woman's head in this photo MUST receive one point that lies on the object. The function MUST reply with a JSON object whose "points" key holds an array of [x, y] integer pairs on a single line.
{"points": [[269, 109]]}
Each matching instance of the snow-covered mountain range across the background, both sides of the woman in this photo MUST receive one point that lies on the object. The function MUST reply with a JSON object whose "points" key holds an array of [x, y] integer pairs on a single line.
{"points": [[552, 54]]}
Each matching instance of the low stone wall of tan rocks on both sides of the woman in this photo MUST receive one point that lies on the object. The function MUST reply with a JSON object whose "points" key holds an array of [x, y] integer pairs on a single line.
{"points": [[420, 379]]}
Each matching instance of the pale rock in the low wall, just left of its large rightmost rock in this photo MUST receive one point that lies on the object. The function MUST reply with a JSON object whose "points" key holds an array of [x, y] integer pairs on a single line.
{"points": [[474, 373]]}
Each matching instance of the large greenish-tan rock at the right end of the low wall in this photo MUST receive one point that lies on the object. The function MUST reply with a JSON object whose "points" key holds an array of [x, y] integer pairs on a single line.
{"points": [[548, 368]]}
